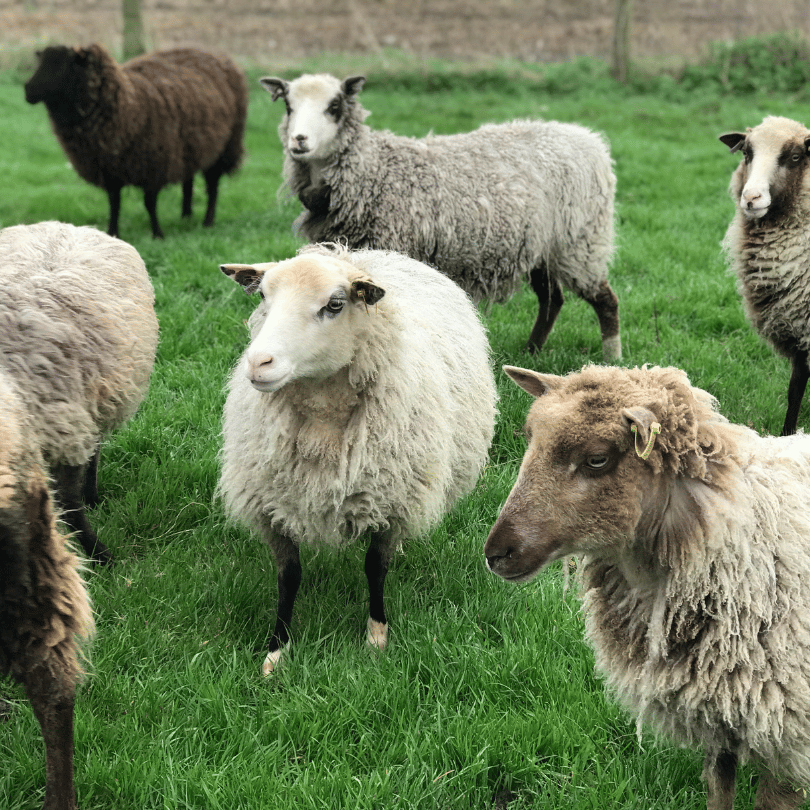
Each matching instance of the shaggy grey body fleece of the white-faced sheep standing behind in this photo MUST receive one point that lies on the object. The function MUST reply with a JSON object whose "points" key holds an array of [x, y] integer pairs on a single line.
{"points": [[485, 207]]}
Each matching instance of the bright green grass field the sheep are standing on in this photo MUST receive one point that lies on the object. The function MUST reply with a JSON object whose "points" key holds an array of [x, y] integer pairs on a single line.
{"points": [[486, 697]]}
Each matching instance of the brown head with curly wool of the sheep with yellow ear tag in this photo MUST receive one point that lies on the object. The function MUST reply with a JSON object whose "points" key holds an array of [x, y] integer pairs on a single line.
{"points": [[587, 483]]}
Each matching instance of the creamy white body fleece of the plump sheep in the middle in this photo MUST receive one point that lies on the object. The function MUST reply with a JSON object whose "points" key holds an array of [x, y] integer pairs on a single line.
{"points": [[388, 443]]}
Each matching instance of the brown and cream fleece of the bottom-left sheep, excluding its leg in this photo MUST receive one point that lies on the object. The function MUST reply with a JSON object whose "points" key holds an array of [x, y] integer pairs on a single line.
{"points": [[44, 607]]}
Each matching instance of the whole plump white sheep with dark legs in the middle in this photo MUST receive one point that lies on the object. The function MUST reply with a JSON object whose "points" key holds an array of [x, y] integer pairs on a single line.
{"points": [[364, 406]]}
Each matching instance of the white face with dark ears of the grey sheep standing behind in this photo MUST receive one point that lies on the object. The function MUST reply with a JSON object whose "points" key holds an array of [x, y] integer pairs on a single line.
{"points": [[316, 106]]}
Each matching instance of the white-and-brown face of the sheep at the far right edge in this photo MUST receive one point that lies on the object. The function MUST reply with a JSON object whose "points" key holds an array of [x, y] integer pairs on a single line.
{"points": [[771, 176]]}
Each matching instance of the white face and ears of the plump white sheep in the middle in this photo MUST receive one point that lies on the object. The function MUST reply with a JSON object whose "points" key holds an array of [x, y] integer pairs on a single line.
{"points": [[310, 319]]}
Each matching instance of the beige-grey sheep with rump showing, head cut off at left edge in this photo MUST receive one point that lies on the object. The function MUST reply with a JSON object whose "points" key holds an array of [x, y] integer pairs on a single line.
{"points": [[78, 336]]}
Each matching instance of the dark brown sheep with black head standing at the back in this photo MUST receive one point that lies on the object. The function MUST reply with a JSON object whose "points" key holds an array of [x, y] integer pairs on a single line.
{"points": [[155, 120]]}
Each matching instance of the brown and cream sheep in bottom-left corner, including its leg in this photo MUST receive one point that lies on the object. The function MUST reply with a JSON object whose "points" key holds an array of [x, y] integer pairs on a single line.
{"points": [[44, 608]]}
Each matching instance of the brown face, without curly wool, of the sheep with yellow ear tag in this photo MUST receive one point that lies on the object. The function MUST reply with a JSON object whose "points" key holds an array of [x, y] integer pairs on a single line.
{"points": [[581, 487]]}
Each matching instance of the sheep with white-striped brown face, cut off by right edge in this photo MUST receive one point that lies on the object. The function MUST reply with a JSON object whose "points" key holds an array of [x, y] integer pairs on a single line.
{"points": [[768, 241]]}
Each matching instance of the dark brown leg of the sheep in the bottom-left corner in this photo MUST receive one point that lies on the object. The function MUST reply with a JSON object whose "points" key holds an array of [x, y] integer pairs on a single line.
{"points": [[53, 706]]}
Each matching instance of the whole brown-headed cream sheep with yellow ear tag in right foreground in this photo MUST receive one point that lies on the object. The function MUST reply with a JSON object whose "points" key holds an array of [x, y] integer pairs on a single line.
{"points": [[695, 543]]}
